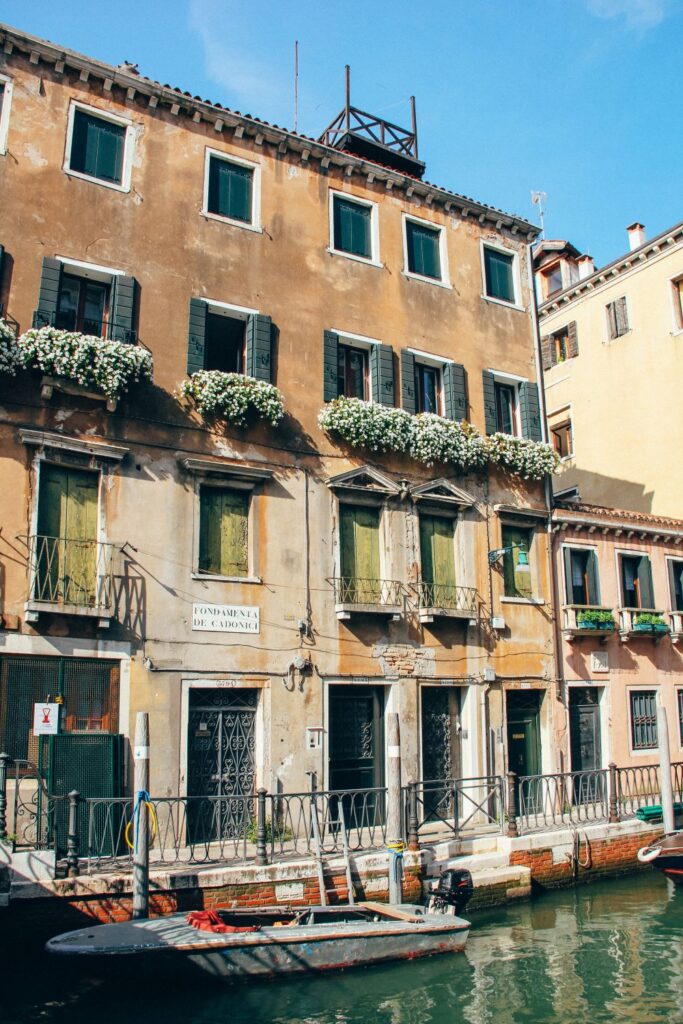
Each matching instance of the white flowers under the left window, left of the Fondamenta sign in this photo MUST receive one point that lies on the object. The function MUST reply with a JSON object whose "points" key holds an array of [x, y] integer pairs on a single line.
{"points": [[110, 367]]}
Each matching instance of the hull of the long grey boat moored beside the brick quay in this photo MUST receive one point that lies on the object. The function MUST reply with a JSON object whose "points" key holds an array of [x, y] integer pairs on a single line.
{"points": [[168, 944]]}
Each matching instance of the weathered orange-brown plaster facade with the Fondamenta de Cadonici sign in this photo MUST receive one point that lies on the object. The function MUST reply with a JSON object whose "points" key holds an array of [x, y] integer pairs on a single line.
{"points": [[269, 593]]}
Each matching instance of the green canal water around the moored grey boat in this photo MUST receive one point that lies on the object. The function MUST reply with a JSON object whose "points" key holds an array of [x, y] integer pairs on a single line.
{"points": [[611, 952]]}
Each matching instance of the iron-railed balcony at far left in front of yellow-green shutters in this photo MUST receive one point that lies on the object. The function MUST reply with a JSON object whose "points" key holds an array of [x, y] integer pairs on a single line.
{"points": [[70, 578]]}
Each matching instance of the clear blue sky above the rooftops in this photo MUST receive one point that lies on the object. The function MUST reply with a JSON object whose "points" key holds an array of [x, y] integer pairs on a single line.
{"points": [[580, 99]]}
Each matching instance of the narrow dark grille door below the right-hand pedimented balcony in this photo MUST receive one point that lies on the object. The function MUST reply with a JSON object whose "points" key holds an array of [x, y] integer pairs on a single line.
{"points": [[441, 749]]}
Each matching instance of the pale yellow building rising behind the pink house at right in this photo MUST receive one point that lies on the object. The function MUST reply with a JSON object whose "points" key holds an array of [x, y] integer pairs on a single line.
{"points": [[613, 353]]}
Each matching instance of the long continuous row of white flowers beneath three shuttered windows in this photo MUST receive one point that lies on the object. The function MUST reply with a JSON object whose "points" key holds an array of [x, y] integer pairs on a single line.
{"points": [[431, 439]]}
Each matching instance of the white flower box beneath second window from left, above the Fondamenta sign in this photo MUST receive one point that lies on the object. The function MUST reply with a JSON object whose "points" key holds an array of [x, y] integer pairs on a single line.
{"points": [[235, 398]]}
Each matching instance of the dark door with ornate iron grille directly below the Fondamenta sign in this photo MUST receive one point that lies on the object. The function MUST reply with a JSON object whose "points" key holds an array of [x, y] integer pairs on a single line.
{"points": [[221, 763]]}
